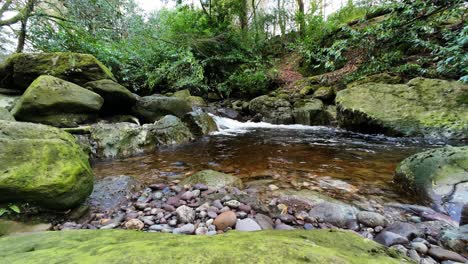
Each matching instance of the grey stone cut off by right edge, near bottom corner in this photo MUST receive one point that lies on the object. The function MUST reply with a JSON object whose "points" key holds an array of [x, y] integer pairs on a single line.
{"points": [[456, 239]]}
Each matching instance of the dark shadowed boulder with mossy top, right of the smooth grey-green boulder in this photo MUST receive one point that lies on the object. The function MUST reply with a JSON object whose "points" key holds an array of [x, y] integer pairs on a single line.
{"points": [[117, 99]]}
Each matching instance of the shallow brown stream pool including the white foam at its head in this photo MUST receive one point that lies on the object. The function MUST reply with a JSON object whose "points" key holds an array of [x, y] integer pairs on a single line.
{"points": [[333, 161]]}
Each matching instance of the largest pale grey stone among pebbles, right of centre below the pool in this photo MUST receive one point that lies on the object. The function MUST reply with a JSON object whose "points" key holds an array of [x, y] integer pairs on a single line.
{"points": [[336, 214]]}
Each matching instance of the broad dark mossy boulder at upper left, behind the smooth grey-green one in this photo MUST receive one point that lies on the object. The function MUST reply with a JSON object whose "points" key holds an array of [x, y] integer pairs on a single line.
{"points": [[21, 69]]}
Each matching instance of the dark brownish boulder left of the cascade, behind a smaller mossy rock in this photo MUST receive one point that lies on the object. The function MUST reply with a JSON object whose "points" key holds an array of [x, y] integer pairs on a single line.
{"points": [[152, 108]]}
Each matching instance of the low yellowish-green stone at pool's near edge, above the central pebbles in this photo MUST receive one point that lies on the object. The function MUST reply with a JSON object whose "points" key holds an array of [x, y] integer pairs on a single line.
{"points": [[213, 179]]}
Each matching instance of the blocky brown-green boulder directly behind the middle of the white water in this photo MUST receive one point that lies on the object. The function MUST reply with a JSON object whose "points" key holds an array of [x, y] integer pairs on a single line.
{"points": [[274, 110]]}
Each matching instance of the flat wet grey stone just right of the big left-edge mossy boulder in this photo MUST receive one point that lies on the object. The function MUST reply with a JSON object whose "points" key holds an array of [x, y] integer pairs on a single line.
{"points": [[112, 191]]}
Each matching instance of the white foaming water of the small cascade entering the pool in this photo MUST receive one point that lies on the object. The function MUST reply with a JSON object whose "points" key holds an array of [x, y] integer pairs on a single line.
{"points": [[227, 126]]}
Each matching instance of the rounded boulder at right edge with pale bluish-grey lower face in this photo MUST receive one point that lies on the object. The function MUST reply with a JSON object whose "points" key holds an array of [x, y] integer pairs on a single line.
{"points": [[438, 176]]}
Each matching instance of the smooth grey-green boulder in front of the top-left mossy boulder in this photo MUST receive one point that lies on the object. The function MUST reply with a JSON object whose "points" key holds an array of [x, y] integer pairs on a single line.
{"points": [[56, 102]]}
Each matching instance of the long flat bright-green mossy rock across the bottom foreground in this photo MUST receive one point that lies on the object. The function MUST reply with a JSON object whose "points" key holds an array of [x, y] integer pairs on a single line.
{"points": [[123, 246]]}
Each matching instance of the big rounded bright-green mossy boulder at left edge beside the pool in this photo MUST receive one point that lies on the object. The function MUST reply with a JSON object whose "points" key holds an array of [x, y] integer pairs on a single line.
{"points": [[42, 165]]}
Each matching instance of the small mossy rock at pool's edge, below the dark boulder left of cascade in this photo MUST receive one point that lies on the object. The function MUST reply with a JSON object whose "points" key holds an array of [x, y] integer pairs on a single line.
{"points": [[170, 130]]}
